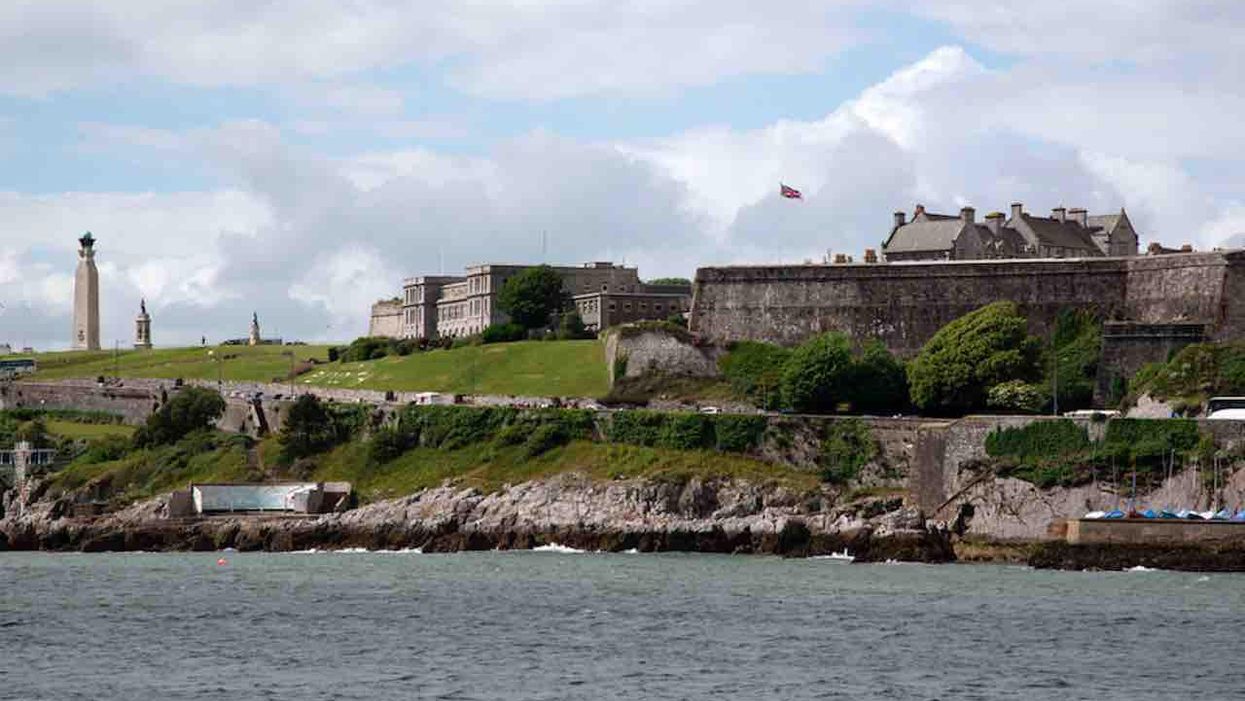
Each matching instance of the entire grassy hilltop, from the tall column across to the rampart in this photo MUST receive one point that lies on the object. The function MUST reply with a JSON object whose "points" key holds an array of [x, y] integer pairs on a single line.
{"points": [[526, 368]]}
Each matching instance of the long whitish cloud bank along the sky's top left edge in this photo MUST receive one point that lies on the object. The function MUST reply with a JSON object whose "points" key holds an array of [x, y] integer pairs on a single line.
{"points": [[527, 49]]}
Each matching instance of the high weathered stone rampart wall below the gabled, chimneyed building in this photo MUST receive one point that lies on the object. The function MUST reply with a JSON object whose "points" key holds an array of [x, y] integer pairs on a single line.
{"points": [[904, 304]]}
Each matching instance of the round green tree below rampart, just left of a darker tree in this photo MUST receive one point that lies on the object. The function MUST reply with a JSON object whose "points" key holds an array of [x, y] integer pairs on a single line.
{"points": [[817, 375]]}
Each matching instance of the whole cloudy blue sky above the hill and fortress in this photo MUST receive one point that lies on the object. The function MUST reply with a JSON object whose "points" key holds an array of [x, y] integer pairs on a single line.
{"points": [[299, 160]]}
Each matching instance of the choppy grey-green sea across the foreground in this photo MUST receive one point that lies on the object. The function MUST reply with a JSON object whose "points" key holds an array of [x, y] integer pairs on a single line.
{"points": [[557, 626]]}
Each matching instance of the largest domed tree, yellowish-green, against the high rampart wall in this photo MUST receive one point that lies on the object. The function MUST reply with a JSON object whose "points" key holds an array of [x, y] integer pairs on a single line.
{"points": [[957, 368]]}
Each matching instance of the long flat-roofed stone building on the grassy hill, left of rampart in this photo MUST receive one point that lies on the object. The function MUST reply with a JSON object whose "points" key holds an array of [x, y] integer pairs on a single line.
{"points": [[455, 307]]}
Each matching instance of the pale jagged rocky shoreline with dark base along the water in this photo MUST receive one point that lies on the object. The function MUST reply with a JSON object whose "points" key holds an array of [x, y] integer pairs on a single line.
{"points": [[705, 517]]}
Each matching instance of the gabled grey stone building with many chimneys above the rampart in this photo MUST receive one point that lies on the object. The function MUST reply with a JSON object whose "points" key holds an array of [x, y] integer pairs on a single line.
{"points": [[1066, 233]]}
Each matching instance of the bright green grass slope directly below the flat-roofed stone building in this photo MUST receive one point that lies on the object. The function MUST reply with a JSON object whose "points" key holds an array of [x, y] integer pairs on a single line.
{"points": [[570, 369]]}
